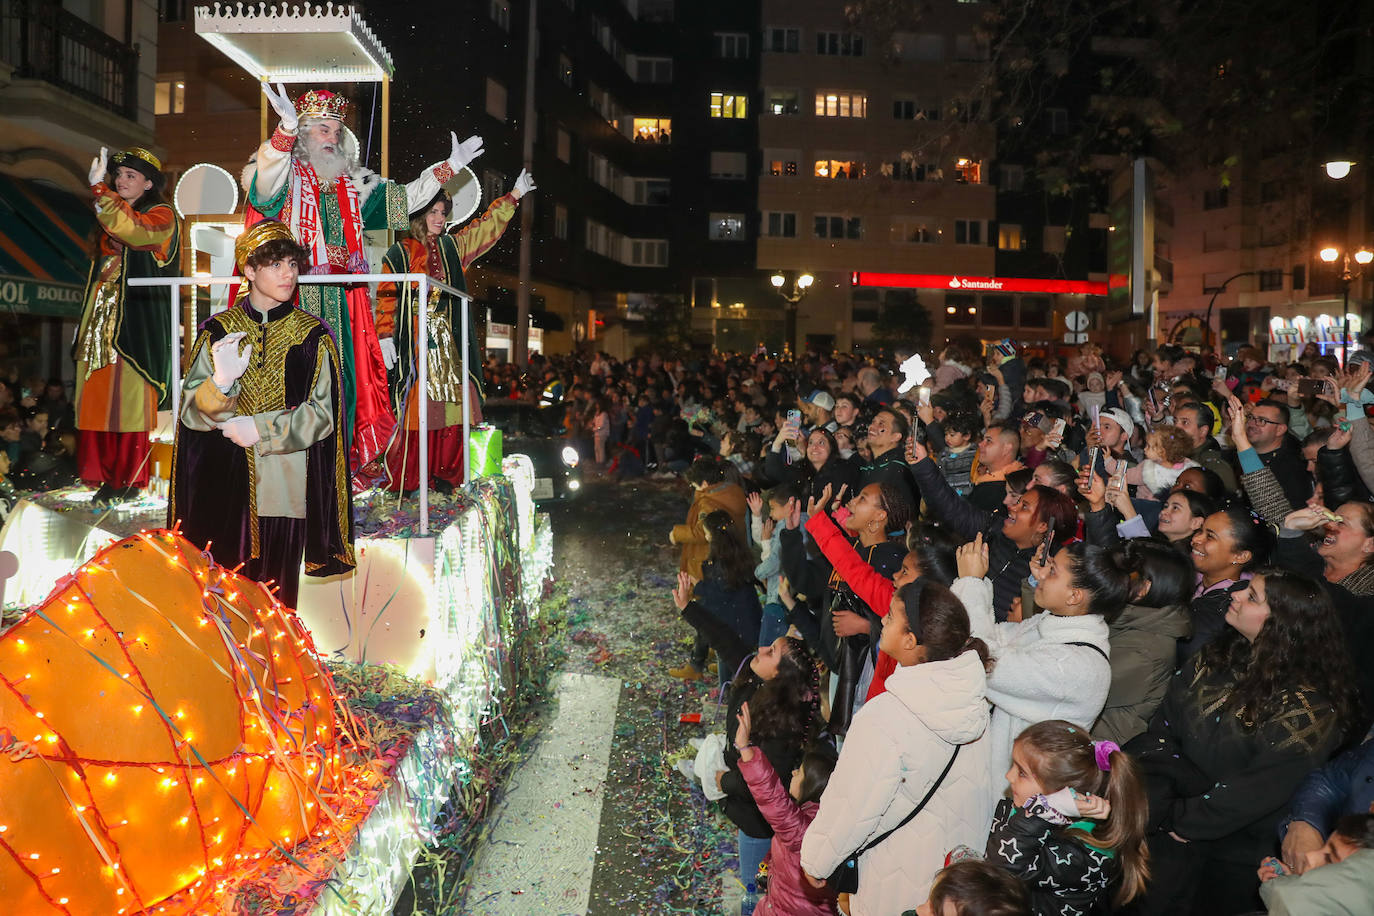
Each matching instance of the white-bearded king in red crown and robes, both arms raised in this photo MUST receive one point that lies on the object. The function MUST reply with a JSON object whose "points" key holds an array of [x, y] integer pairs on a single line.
{"points": [[308, 176]]}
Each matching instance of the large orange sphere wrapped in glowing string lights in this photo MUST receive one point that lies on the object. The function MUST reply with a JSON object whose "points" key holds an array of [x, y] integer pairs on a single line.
{"points": [[161, 722]]}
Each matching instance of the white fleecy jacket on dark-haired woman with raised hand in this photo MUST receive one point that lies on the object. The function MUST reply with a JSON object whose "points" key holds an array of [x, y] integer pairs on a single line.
{"points": [[1037, 675]]}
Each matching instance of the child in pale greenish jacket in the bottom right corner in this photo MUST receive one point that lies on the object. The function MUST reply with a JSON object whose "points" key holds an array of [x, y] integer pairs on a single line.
{"points": [[1346, 888]]}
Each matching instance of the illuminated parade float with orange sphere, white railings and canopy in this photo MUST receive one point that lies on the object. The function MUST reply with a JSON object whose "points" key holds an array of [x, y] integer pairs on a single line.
{"points": [[177, 741]]}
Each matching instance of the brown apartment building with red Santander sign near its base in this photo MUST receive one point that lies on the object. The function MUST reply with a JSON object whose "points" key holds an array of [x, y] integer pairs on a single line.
{"points": [[876, 168]]}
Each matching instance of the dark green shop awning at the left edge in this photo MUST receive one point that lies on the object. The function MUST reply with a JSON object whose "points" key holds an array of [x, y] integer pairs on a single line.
{"points": [[45, 249]]}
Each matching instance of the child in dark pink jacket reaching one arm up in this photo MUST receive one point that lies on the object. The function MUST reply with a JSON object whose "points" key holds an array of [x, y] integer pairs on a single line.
{"points": [[791, 814]]}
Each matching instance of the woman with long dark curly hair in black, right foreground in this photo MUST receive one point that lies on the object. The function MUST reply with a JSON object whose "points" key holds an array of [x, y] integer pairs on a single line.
{"points": [[1243, 723]]}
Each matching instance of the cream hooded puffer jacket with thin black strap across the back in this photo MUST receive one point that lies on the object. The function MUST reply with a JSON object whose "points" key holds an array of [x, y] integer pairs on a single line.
{"points": [[897, 748]]}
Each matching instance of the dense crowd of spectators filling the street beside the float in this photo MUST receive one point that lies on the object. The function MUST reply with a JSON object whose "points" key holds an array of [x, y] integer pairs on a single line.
{"points": [[1034, 637]]}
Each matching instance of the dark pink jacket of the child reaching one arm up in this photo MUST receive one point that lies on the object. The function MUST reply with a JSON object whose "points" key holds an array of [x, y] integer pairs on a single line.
{"points": [[789, 892]]}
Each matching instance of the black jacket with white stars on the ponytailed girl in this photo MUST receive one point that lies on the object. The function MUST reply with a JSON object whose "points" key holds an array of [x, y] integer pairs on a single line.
{"points": [[1066, 875]]}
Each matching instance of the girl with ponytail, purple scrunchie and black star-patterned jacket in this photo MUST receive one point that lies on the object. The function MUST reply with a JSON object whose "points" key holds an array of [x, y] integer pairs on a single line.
{"points": [[1075, 822]]}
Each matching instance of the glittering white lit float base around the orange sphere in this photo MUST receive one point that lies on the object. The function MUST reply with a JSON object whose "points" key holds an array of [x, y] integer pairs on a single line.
{"points": [[440, 609]]}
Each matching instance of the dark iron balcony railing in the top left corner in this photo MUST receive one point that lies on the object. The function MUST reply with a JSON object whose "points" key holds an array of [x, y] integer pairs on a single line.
{"points": [[45, 42]]}
